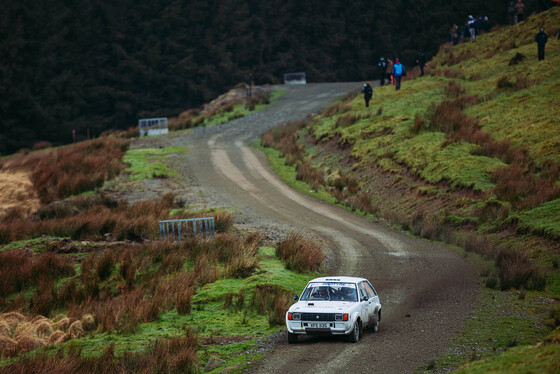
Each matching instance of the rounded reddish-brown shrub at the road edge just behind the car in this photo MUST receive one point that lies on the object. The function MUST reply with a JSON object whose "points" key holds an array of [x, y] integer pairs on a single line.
{"points": [[300, 254]]}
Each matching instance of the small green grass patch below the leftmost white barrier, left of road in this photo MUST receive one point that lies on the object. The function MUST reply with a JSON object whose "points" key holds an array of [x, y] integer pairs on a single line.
{"points": [[148, 163]]}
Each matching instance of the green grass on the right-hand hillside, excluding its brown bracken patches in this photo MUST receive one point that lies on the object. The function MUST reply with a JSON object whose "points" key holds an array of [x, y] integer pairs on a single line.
{"points": [[528, 117]]}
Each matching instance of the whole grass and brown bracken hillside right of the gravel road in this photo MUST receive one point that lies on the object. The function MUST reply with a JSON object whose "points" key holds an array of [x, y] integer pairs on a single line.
{"points": [[469, 155]]}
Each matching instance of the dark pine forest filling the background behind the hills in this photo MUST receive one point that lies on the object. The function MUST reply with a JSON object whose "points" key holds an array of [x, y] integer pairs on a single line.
{"points": [[102, 64]]}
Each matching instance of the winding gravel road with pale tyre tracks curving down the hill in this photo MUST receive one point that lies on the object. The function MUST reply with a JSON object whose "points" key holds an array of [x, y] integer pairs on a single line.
{"points": [[426, 289]]}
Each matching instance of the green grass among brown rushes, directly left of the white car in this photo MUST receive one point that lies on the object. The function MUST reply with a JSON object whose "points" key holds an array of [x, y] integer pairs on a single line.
{"points": [[208, 318]]}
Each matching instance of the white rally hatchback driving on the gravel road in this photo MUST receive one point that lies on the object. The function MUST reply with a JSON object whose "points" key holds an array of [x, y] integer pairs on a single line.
{"points": [[334, 306]]}
